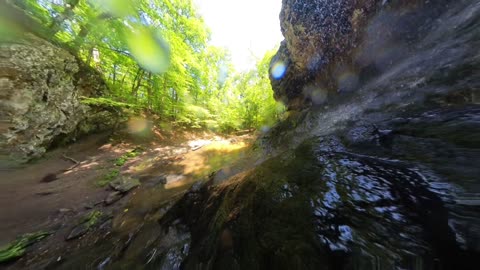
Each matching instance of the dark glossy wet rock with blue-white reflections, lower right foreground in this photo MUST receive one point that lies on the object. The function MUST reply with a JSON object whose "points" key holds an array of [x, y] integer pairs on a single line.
{"points": [[316, 209]]}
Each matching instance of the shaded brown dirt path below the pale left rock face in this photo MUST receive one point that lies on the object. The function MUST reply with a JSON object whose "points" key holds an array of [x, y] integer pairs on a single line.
{"points": [[28, 204]]}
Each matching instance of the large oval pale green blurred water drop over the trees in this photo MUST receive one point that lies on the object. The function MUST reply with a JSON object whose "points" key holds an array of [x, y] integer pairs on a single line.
{"points": [[150, 50]]}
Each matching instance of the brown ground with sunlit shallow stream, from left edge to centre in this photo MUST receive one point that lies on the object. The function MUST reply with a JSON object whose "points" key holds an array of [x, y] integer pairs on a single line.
{"points": [[53, 193]]}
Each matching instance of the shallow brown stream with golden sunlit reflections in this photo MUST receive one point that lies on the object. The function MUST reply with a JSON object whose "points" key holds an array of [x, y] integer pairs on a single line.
{"points": [[166, 178]]}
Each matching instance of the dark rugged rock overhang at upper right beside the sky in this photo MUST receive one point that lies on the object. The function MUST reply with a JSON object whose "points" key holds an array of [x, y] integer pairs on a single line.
{"points": [[334, 46]]}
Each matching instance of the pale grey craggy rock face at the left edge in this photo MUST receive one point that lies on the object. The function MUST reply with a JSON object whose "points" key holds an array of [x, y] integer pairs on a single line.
{"points": [[40, 86]]}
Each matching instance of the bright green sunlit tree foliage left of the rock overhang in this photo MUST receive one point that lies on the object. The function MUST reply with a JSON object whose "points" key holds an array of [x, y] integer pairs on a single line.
{"points": [[155, 55]]}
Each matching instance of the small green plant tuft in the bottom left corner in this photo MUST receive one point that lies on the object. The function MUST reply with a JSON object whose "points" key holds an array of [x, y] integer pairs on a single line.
{"points": [[17, 248]]}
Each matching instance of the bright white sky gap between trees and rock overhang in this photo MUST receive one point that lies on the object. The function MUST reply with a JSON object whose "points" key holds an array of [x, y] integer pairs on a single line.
{"points": [[247, 28]]}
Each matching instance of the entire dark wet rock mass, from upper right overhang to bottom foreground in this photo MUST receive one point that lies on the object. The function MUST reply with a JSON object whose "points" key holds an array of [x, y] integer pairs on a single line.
{"points": [[380, 172]]}
